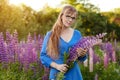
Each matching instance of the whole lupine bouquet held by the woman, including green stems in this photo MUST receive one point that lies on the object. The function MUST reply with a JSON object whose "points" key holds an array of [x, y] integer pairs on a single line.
{"points": [[85, 43]]}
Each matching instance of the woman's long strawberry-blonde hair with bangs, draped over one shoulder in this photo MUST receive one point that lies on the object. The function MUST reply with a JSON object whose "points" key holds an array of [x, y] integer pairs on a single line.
{"points": [[53, 43]]}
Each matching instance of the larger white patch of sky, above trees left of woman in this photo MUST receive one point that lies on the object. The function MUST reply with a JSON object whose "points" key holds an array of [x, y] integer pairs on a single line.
{"points": [[36, 4]]}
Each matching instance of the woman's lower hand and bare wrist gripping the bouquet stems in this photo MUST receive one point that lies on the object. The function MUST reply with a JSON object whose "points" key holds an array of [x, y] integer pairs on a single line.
{"points": [[61, 67]]}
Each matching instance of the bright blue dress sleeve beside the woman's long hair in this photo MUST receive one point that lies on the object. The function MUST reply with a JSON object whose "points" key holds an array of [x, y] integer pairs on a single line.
{"points": [[45, 59]]}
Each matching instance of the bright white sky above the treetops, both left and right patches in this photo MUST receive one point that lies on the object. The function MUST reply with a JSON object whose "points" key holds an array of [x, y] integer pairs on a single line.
{"points": [[104, 5]]}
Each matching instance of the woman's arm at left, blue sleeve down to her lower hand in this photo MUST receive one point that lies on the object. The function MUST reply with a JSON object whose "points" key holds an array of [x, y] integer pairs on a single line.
{"points": [[46, 60]]}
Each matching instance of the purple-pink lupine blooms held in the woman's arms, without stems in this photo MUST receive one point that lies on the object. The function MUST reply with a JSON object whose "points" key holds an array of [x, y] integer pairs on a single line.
{"points": [[85, 43]]}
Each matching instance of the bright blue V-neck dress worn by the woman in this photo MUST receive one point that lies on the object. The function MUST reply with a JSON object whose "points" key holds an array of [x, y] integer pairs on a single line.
{"points": [[72, 74]]}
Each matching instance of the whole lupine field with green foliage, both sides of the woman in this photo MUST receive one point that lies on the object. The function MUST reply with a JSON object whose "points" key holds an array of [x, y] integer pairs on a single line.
{"points": [[19, 59]]}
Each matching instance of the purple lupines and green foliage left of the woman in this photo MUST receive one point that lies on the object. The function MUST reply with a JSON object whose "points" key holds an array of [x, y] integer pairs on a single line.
{"points": [[19, 60]]}
